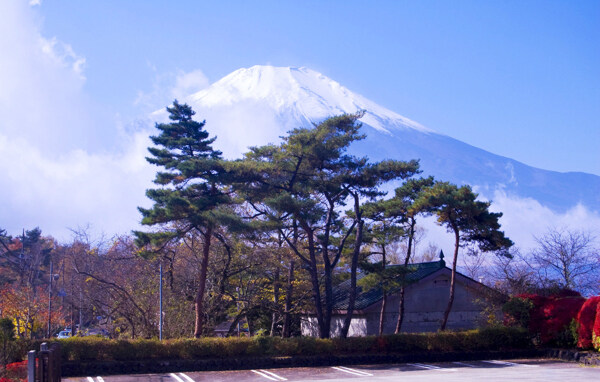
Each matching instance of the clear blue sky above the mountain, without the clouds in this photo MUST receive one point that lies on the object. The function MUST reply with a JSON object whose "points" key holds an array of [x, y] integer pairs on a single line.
{"points": [[518, 78]]}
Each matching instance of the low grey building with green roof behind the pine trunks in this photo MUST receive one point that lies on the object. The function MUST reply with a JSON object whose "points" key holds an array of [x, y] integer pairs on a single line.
{"points": [[427, 289]]}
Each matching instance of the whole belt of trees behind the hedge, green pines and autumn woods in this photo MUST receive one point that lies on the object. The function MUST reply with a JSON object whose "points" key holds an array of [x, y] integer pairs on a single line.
{"points": [[254, 242]]}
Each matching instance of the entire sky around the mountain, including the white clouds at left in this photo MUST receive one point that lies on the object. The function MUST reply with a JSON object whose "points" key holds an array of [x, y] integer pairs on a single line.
{"points": [[79, 78]]}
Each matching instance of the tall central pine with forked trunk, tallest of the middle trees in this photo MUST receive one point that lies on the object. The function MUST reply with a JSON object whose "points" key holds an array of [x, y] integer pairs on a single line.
{"points": [[301, 180]]}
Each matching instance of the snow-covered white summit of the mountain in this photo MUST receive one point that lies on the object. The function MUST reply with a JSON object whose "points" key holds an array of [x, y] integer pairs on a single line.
{"points": [[300, 93]]}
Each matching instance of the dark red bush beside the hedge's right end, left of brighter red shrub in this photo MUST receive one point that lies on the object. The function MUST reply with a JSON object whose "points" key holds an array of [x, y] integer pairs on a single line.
{"points": [[552, 315]]}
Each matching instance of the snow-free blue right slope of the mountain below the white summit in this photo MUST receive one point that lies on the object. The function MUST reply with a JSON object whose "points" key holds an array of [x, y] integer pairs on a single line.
{"points": [[449, 159]]}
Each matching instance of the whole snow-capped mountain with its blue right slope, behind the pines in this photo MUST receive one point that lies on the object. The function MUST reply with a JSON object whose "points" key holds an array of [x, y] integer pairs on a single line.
{"points": [[257, 105]]}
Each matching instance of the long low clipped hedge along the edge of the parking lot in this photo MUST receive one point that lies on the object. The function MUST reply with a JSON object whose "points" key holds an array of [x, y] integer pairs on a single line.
{"points": [[99, 349]]}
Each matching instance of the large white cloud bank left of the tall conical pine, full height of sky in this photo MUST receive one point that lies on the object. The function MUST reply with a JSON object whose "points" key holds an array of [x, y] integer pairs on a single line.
{"points": [[64, 163]]}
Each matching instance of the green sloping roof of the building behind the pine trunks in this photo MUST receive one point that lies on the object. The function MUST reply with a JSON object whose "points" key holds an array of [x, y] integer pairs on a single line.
{"points": [[367, 298]]}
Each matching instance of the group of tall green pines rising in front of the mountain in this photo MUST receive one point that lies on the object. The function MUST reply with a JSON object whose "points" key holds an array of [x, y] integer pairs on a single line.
{"points": [[307, 191]]}
